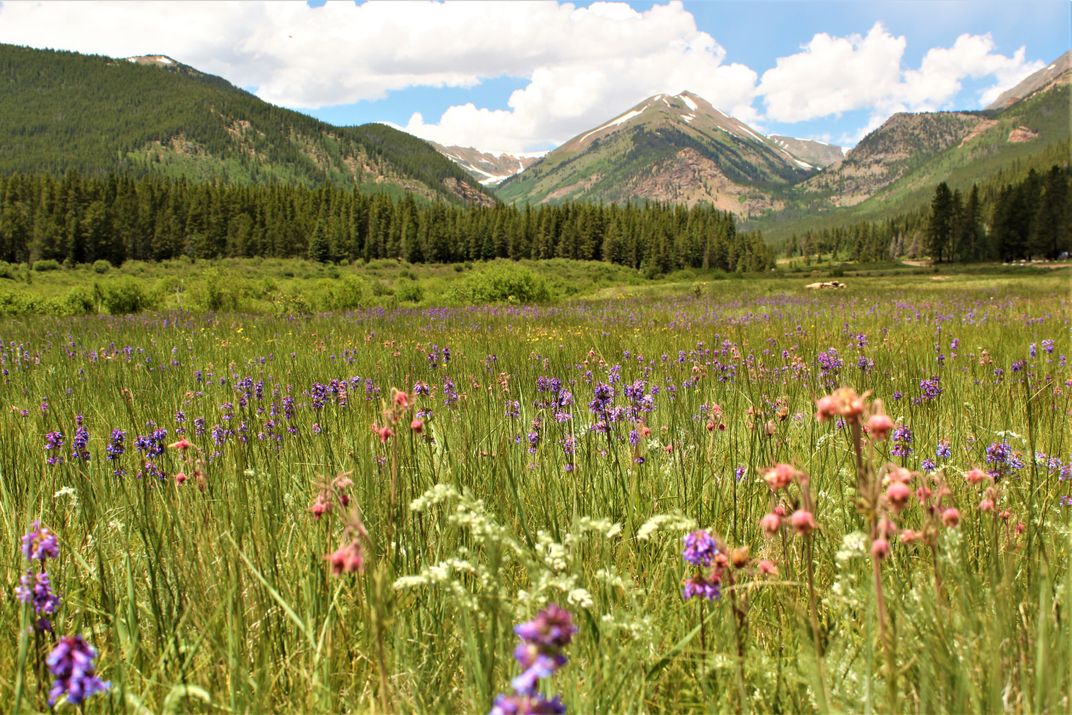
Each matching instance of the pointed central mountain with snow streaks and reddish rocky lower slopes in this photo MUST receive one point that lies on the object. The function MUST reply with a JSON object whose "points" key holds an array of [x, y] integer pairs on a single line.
{"points": [[667, 148]]}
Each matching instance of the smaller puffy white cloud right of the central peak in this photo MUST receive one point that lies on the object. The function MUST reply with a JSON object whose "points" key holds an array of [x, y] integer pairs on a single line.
{"points": [[835, 76]]}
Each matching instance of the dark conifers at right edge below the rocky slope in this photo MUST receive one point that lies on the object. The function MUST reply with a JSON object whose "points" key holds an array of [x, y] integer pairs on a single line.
{"points": [[1029, 219]]}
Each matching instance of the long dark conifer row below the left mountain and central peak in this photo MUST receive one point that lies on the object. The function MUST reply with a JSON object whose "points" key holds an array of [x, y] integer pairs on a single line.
{"points": [[81, 219]]}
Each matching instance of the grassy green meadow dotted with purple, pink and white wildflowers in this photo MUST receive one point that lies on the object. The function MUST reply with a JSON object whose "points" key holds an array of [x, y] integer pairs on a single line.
{"points": [[351, 512]]}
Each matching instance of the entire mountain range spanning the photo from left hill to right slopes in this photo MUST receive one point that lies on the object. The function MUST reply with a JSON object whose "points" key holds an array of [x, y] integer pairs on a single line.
{"points": [[154, 114]]}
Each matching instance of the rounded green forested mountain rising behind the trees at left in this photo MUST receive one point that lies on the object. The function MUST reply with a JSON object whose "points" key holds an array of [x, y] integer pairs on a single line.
{"points": [[153, 114]]}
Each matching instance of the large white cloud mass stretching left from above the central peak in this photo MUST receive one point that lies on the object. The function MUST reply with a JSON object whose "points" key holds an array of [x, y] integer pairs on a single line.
{"points": [[582, 64]]}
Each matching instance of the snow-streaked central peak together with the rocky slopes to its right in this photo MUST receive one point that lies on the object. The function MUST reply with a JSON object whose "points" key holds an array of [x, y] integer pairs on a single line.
{"points": [[683, 150]]}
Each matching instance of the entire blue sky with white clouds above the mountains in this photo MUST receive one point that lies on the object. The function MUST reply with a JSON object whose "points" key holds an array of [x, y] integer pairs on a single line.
{"points": [[526, 77]]}
